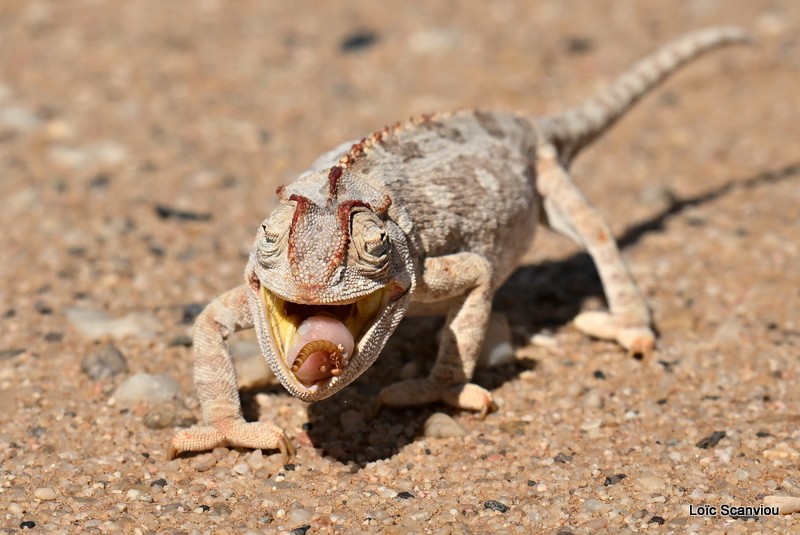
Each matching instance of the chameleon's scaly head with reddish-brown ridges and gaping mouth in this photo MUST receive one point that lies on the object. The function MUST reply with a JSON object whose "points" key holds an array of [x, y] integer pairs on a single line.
{"points": [[330, 278]]}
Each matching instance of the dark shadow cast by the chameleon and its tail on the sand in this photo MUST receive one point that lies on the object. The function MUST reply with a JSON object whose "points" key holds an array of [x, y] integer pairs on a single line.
{"points": [[344, 426]]}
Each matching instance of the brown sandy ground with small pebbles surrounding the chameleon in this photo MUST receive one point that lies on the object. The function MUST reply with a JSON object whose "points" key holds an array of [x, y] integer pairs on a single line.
{"points": [[117, 116]]}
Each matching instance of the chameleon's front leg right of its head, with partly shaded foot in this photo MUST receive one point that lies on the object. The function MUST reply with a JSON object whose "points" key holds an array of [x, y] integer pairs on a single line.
{"points": [[464, 279]]}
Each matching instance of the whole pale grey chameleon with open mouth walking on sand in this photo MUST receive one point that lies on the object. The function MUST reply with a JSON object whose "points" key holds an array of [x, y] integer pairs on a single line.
{"points": [[426, 217]]}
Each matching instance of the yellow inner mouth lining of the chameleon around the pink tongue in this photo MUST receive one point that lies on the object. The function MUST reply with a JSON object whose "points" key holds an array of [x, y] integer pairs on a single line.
{"points": [[284, 317]]}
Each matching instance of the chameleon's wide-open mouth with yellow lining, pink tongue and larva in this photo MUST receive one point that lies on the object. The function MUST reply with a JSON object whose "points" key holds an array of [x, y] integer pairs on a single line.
{"points": [[317, 342]]}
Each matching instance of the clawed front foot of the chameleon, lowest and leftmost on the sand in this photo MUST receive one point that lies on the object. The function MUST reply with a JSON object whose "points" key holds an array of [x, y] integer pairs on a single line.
{"points": [[238, 434]]}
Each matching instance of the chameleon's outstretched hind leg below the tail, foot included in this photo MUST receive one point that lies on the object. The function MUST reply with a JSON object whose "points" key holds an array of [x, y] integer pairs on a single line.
{"points": [[569, 213]]}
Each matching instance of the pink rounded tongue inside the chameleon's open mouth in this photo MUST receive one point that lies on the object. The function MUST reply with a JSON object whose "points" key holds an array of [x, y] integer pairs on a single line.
{"points": [[317, 365]]}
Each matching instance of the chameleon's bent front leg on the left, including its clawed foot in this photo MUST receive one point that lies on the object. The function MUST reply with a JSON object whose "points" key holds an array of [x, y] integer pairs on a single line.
{"points": [[217, 390]]}
